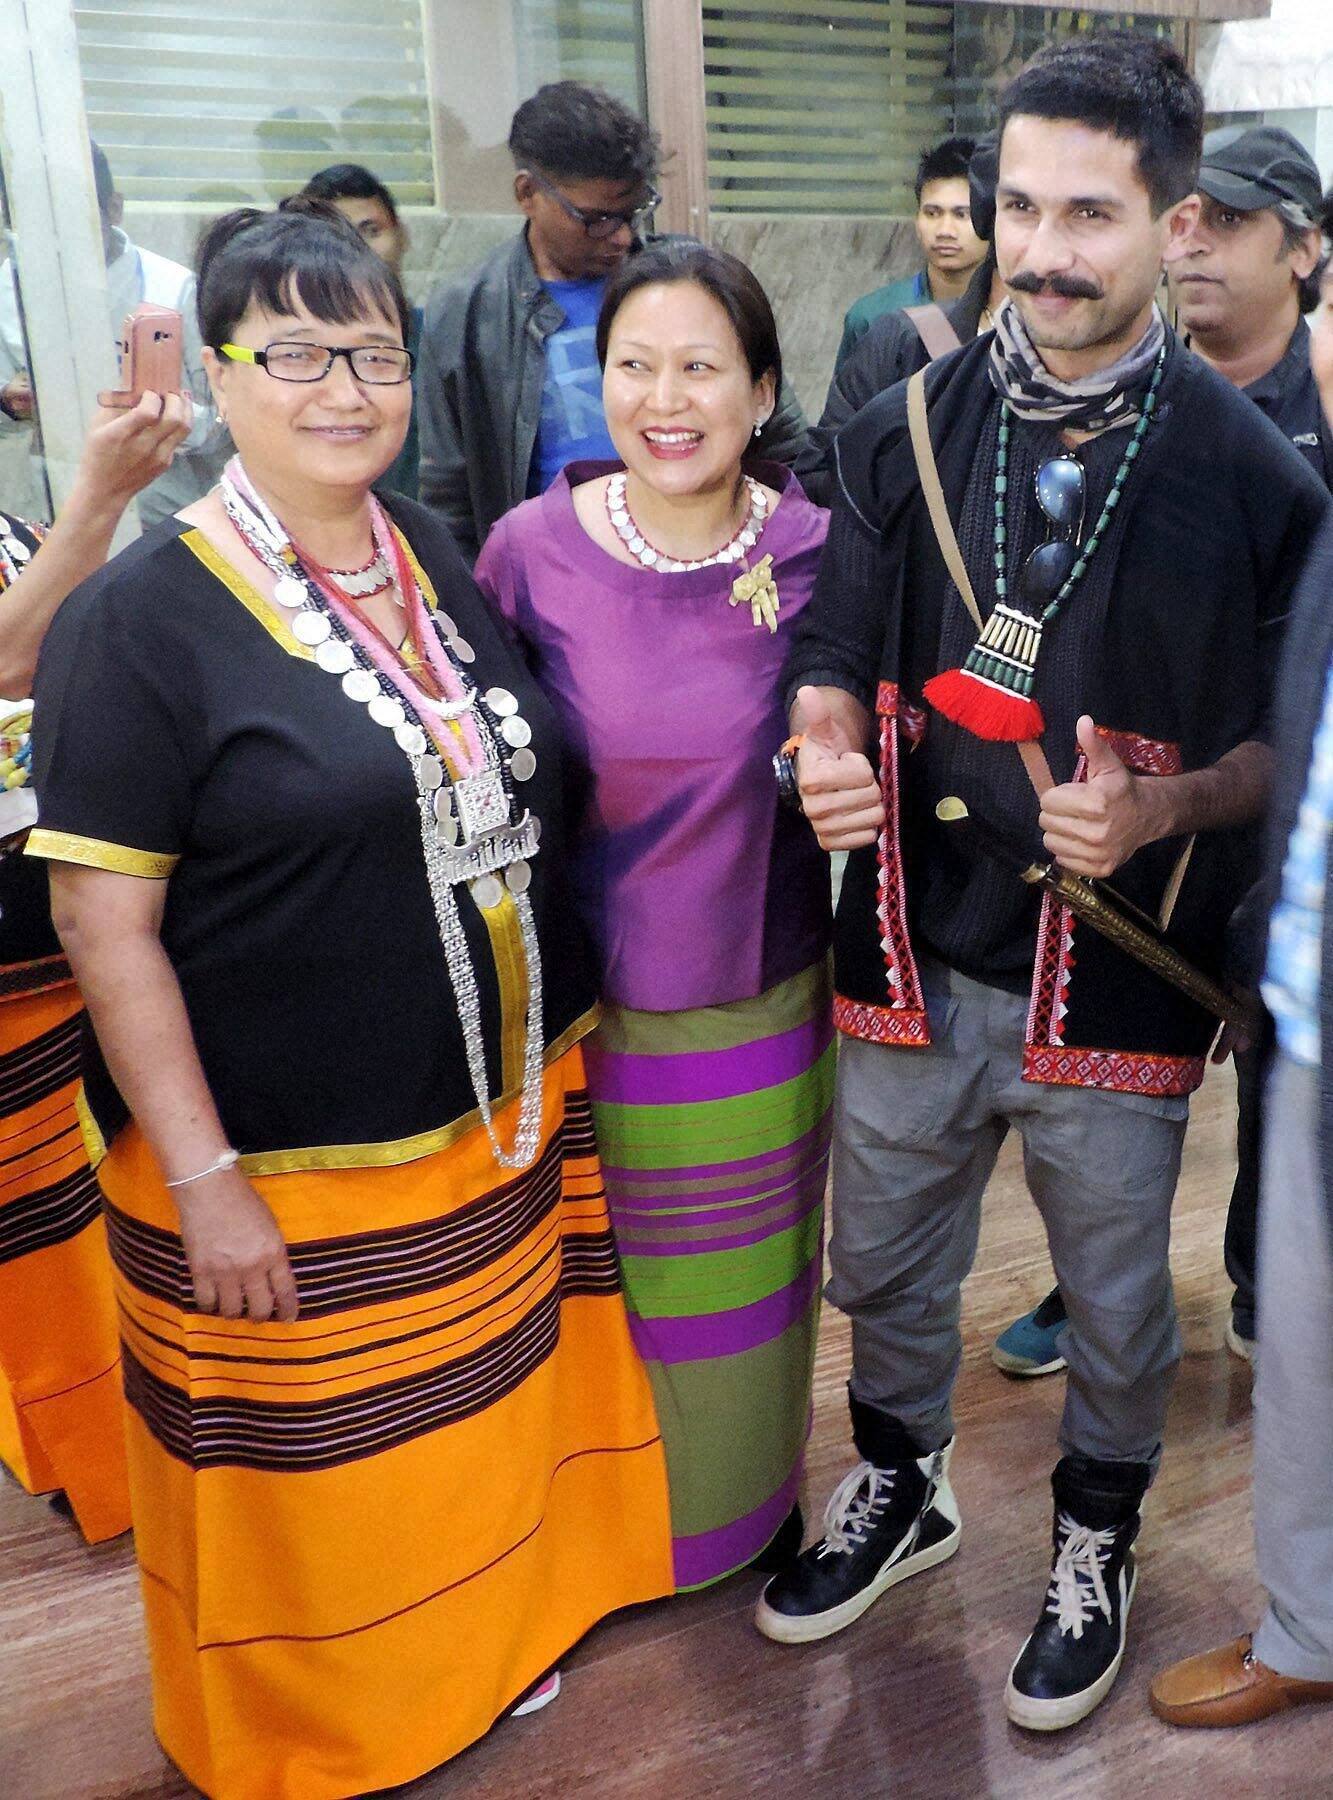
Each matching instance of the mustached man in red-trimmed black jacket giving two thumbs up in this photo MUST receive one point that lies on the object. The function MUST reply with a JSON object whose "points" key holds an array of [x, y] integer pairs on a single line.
{"points": [[1060, 645]]}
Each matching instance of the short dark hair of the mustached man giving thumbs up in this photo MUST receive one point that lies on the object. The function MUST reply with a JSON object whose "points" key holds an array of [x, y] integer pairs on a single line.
{"points": [[1131, 85]]}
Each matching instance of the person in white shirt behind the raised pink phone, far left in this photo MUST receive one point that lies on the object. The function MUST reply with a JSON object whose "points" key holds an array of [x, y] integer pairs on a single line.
{"points": [[134, 276]]}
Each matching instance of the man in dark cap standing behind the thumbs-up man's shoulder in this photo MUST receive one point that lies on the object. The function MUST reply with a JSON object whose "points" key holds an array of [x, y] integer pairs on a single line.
{"points": [[1242, 289]]}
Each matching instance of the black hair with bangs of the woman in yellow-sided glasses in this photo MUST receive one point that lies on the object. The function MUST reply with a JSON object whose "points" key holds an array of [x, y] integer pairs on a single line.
{"points": [[305, 251]]}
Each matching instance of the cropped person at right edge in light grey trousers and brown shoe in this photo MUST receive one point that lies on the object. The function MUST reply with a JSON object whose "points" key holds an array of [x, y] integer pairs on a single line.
{"points": [[1289, 1660]]}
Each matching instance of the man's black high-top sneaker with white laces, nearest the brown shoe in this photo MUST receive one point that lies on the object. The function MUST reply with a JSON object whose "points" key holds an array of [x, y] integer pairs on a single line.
{"points": [[1071, 1660]]}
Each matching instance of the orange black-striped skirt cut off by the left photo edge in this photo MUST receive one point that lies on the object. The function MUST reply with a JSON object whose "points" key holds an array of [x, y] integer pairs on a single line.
{"points": [[62, 1421]]}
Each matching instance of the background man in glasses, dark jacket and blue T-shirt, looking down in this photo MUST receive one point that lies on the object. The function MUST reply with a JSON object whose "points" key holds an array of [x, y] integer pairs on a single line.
{"points": [[510, 388]]}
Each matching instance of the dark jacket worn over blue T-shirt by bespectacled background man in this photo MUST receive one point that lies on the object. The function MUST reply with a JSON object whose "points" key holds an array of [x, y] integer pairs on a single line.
{"points": [[479, 393]]}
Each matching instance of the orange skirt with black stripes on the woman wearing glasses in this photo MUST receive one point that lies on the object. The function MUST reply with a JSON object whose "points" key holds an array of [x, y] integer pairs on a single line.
{"points": [[364, 1534]]}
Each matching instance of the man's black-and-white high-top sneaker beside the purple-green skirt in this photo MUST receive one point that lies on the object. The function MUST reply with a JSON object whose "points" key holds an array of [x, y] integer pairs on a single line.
{"points": [[882, 1525]]}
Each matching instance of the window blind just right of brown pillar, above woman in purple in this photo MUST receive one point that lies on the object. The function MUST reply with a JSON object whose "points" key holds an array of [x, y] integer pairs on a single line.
{"points": [[823, 107]]}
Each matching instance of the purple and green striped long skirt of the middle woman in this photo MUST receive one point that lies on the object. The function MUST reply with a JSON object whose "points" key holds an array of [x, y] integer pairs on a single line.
{"points": [[713, 1129]]}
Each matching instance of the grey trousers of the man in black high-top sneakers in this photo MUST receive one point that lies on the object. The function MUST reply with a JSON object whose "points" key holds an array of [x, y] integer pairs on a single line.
{"points": [[917, 1138]]}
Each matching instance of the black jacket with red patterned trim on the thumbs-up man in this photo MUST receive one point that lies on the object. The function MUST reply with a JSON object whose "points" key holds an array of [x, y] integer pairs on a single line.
{"points": [[1213, 532]]}
